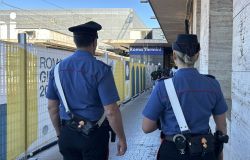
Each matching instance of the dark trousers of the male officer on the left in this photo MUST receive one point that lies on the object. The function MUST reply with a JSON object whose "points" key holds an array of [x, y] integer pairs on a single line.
{"points": [[74, 146]]}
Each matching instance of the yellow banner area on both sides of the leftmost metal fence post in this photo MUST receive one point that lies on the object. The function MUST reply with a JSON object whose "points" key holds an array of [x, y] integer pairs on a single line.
{"points": [[15, 101]]}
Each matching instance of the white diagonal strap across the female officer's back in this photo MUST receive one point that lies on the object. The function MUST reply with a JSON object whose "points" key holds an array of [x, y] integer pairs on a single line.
{"points": [[176, 105]]}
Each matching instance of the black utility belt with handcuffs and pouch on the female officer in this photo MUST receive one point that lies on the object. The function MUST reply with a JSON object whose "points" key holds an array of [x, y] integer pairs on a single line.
{"points": [[196, 145]]}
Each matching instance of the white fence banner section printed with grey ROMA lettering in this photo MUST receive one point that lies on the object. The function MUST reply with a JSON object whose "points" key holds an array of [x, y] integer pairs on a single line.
{"points": [[46, 60]]}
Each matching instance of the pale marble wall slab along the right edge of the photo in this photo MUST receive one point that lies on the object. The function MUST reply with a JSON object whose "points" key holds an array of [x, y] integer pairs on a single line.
{"points": [[240, 121]]}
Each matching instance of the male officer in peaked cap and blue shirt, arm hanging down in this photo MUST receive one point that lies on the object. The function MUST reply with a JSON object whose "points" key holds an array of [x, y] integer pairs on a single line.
{"points": [[90, 91]]}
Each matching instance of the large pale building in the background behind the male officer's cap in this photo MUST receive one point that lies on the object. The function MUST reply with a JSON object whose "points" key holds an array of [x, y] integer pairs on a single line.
{"points": [[116, 22]]}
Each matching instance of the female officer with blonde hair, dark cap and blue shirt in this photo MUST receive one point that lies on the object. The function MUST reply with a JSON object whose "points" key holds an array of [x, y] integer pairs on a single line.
{"points": [[199, 96]]}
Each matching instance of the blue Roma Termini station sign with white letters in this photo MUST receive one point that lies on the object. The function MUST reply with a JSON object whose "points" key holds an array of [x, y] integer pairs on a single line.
{"points": [[146, 50]]}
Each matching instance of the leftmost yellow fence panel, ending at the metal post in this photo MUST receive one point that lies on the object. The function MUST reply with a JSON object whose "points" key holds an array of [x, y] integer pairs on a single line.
{"points": [[15, 103]]}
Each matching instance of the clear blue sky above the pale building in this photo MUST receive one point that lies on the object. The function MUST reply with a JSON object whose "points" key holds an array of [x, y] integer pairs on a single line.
{"points": [[143, 10]]}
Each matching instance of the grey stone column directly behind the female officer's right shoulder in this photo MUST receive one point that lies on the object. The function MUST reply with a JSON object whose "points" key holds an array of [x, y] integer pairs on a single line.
{"points": [[216, 48]]}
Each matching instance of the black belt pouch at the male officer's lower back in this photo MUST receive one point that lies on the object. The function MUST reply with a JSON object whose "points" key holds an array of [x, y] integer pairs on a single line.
{"points": [[85, 128]]}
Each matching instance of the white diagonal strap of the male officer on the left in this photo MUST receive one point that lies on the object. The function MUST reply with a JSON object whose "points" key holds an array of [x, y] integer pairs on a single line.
{"points": [[61, 92]]}
